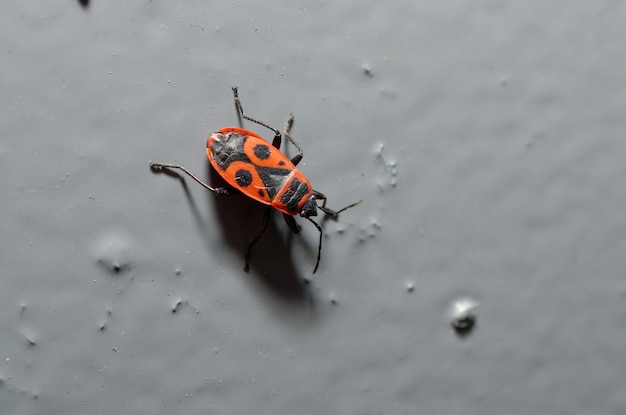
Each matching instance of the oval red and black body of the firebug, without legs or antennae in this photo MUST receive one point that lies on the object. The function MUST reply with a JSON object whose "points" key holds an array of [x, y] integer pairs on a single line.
{"points": [[262, 172]]}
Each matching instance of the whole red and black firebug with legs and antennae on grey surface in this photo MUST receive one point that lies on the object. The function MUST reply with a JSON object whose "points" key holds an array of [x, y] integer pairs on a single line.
{"points": [[262, 172]]}
